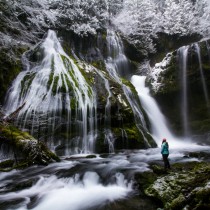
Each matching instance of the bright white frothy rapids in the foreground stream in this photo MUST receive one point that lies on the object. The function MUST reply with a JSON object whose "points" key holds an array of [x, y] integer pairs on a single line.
{"points": [[71, 193]]}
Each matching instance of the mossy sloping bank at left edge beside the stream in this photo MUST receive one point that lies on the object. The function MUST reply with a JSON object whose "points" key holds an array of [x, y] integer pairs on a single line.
{"points": [[25, 149]]}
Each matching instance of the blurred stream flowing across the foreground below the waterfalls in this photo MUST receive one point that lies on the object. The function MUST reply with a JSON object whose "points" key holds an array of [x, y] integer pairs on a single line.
{"points": [[79, 183]]}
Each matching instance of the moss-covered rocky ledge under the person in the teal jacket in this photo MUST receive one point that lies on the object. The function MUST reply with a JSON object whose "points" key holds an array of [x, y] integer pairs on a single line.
{"points": [[185, 186]]}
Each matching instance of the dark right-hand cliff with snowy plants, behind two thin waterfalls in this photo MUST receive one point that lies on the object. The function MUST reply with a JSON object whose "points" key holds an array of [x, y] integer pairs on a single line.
{"points": [[167, 87]]}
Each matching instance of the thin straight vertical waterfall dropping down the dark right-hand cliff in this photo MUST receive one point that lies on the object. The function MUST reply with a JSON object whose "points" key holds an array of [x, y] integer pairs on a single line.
{"points": [[183, 54]]}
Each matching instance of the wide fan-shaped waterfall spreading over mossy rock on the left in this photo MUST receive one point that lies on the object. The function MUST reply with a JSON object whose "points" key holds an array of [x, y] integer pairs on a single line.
{"points": [[56, 97]]}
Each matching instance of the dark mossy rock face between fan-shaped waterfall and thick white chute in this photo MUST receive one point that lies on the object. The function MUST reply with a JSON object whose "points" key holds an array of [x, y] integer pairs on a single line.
{"points": [[116, 119]]}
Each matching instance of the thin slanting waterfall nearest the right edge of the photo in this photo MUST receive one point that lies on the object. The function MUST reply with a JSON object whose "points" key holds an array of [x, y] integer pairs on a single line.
{"points": [[197, 48]]}
